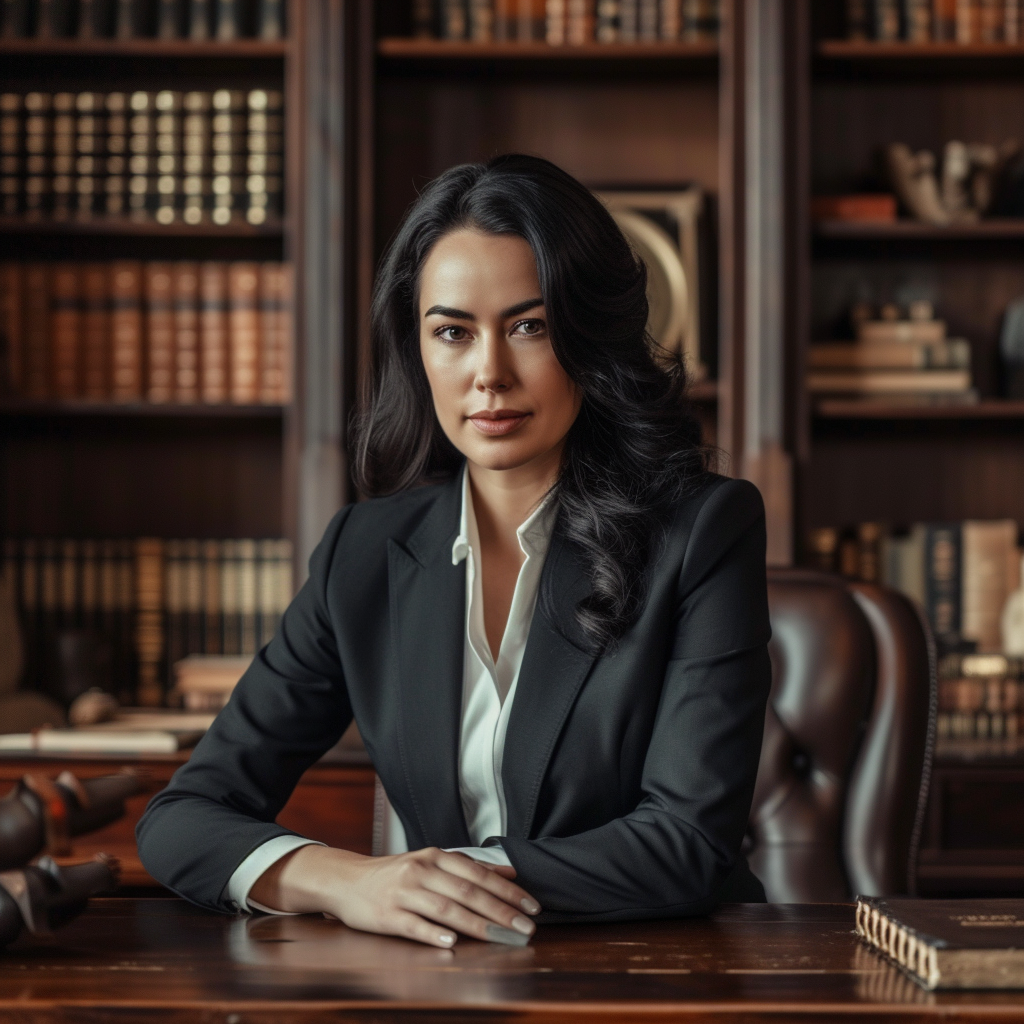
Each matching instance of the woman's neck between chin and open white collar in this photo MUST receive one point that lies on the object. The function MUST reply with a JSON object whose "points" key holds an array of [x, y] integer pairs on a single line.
{"points": [[503, 499]]}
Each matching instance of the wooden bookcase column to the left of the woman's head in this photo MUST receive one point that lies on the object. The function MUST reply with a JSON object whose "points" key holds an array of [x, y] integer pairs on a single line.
{"points": [[323, 99]]}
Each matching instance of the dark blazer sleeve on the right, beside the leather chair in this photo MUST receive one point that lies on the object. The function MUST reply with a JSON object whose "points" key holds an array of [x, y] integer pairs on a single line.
{"points": [[675, 854]]}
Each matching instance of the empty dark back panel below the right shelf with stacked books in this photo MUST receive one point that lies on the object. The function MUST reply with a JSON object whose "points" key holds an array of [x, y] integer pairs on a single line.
{"points": [[902, 473]]}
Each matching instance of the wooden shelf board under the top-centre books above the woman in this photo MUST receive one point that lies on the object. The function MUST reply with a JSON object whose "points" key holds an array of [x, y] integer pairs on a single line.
{"points": [[436, 50]]}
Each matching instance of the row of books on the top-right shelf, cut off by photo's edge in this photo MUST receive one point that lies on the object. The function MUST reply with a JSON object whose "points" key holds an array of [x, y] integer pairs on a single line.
{"points": [[963, 22]]}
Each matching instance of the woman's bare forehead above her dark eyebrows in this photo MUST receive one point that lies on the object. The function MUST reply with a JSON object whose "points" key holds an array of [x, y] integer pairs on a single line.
{"points": [[475, 271]]}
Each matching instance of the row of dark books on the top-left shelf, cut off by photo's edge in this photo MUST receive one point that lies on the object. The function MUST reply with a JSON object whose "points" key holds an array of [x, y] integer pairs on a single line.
{"points": [[196, 20]]}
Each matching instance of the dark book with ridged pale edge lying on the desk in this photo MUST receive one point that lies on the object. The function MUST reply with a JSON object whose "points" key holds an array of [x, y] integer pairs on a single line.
{"points": [[948, 944]]}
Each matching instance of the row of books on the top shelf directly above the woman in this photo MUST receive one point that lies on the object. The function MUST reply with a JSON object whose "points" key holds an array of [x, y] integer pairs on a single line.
{"points": [[569, 22]]}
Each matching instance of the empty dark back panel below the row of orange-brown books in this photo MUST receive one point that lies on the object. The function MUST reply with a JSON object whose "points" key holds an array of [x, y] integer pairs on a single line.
{"points": [[93, 478]]}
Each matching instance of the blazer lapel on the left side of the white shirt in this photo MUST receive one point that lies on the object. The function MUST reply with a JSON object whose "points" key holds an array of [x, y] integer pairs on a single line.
{"points": [[429, 615]]}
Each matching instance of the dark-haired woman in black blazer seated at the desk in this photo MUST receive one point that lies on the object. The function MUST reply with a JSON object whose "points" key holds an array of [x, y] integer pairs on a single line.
{"points": [[557, 657]]}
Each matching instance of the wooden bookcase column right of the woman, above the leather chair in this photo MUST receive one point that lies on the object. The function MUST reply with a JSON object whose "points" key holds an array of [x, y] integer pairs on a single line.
{"points": [[754, 429]]}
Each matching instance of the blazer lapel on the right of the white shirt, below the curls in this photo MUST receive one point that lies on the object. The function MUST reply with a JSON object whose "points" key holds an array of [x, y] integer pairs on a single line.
{"points": [[554, 667]]}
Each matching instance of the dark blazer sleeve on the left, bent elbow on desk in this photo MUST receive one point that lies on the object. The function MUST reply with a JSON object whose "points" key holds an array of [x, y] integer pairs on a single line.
{"points": [[289, 708]]}
